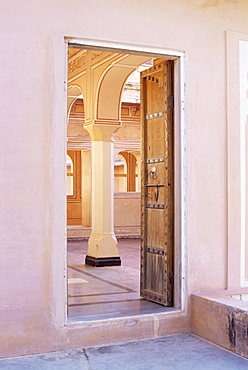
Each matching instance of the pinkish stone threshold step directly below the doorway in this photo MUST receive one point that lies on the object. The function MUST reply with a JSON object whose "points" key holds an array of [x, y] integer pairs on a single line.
{"points": [[128, 328]]}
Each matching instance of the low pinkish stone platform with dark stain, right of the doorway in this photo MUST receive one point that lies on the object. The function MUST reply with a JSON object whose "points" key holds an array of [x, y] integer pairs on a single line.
{"points": [[222, 319]]}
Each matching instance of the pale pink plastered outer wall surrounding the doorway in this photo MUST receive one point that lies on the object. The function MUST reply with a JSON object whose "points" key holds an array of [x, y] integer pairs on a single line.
{"points": [[33, 70]]}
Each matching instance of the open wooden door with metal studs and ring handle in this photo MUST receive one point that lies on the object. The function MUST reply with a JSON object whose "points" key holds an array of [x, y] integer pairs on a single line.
{"points": [[157, 183]]}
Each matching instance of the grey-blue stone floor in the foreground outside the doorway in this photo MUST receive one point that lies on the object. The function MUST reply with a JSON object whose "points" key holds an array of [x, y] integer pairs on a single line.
{"points": [[182, 352]]}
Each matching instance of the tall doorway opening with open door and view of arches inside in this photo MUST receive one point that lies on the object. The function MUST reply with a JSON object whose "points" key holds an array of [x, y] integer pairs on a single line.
{"points": [[104, 88]]}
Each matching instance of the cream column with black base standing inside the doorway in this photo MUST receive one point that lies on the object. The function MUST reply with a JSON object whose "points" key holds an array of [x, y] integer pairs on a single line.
{"points": [[102, 245]]}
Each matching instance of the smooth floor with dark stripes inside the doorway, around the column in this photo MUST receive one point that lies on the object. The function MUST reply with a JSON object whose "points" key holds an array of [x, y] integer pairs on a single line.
{"points": [[105, 292]]}
